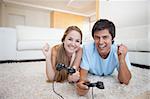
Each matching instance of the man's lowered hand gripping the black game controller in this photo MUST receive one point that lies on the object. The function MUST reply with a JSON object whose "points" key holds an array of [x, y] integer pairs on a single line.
{"points": [[81, 88]]}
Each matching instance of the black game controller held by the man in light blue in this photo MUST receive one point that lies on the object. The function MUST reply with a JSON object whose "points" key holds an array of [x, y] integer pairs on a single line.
{"points": [[98, 84]]}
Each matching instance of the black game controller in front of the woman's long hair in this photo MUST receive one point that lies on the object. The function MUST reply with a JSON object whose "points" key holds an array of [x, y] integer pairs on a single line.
{"points": [[70, 70]]}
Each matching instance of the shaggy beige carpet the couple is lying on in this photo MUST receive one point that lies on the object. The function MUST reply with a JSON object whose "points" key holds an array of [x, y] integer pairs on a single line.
{"points": [[28, 81]]}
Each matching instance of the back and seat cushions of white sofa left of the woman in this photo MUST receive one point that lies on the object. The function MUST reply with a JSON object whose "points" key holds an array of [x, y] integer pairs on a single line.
{"points": [[34, 38]]}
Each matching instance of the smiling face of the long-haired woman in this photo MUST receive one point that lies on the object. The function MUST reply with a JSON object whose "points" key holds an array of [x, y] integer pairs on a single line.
{"points": [[72, 42]]}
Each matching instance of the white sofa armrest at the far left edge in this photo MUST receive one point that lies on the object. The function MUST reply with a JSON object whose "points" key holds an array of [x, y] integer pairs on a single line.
{"points": [[7, 43]]}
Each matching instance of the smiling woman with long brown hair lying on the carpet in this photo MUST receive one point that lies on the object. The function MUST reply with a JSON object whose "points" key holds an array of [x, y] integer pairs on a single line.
{"points": [[68, 52]]}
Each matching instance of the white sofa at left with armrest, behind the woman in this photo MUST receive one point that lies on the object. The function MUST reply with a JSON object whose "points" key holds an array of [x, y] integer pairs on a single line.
{"points": [[25, 43]]}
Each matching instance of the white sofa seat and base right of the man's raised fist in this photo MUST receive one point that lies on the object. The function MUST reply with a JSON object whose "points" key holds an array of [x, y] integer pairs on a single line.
{"points": [[138, 49]]}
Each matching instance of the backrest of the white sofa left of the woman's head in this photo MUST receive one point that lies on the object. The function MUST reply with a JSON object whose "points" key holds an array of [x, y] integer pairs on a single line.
{"points": [[38, 33]]}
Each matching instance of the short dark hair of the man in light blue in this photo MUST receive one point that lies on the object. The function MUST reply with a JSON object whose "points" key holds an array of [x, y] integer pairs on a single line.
{"points": [[104, 24]]}
